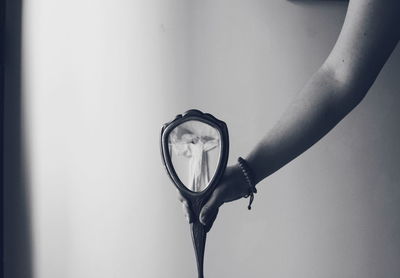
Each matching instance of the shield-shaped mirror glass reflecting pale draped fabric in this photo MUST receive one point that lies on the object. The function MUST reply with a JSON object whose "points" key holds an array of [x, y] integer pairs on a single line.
{"points": [[194, 148]]}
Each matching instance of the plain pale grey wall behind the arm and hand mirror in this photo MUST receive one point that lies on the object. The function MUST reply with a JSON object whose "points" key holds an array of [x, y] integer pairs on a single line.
{"points": [[100, 78]]}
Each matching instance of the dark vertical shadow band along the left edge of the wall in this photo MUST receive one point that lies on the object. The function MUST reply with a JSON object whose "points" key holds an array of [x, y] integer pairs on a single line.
{"points": [[17, 232]]}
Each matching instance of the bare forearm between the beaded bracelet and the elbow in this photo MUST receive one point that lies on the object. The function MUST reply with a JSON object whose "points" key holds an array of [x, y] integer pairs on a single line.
{"points": [[321, 104]]}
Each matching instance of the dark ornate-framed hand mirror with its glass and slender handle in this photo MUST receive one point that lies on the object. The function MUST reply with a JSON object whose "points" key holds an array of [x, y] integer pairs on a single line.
{"points": [[194, 149]]}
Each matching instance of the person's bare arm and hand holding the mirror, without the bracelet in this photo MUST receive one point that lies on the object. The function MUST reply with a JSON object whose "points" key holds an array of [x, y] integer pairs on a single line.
{"points": [[370, 33]]}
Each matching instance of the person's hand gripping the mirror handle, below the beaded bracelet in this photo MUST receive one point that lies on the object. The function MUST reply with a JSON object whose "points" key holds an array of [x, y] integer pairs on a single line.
{"points": [[232, 186]]}
